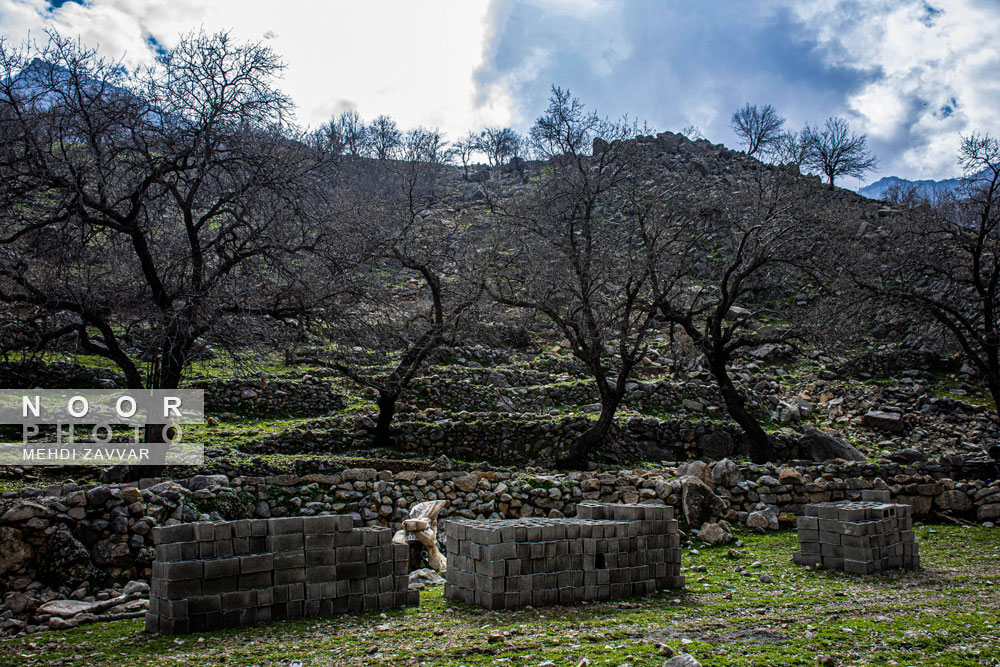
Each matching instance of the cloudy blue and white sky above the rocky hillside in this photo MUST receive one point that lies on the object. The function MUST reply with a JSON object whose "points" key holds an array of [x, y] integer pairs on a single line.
{"points": [[914, 75]]}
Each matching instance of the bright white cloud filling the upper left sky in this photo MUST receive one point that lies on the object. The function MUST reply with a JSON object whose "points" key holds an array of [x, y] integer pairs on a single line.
{"points": [[395, 57]]}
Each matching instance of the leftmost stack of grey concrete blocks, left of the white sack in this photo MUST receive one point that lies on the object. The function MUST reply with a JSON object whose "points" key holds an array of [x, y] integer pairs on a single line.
{"points": [[230, 573]]}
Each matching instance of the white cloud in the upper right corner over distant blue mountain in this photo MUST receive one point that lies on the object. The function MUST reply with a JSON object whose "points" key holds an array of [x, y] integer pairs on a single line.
{"points": [[937, 65]]}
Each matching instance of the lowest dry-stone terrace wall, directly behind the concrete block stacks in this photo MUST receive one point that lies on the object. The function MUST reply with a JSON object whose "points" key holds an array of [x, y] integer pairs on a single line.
{"points": [[61, 534]]}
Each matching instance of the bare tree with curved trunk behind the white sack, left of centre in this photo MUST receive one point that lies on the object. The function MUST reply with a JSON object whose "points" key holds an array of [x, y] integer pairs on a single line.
{"points": [[416, 278]]}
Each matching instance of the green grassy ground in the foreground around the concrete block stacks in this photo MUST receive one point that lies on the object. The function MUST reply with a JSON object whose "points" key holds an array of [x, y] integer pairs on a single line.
{"points": [[947, 614]]}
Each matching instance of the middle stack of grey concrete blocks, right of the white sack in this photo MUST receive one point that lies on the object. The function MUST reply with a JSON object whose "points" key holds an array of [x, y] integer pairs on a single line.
{"points": [[608, 551]]}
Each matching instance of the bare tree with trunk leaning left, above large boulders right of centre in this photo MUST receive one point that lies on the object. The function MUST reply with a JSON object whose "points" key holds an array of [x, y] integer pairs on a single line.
{"points": [[737, 245]]}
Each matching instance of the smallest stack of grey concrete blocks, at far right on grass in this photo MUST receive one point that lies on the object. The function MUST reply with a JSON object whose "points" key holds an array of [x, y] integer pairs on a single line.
{"points": [[863, 537]]}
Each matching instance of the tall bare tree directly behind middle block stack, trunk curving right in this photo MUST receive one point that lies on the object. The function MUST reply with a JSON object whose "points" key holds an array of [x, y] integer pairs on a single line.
{"points": [[578, 255]]}
